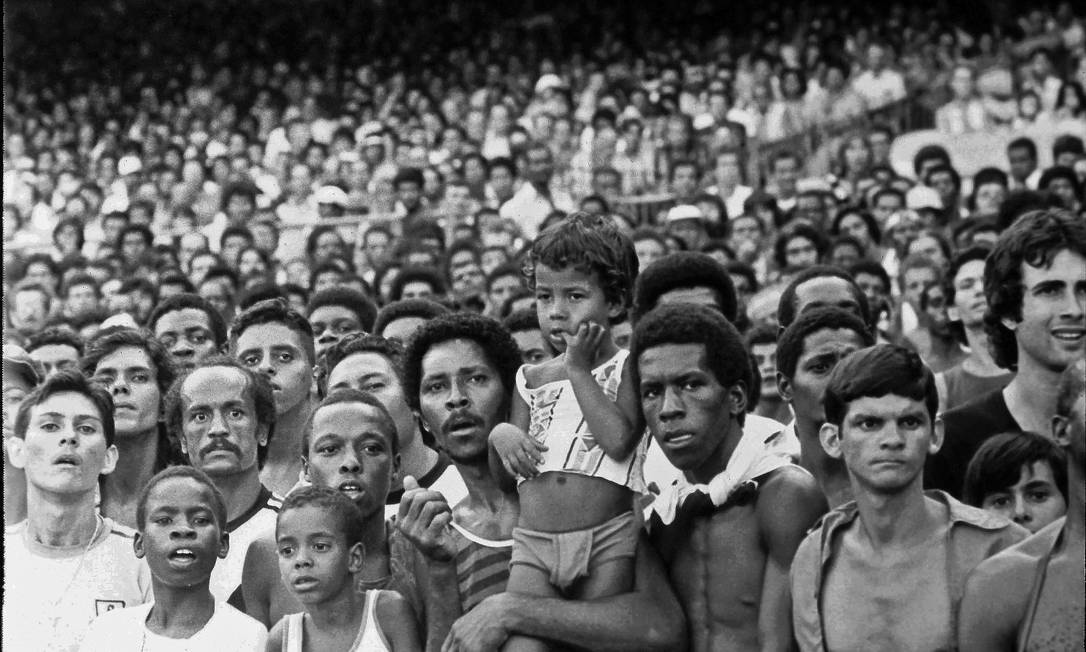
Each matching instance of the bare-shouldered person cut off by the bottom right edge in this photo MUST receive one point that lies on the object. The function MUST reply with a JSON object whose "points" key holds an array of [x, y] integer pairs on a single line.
{"points": [[1030, 597]]}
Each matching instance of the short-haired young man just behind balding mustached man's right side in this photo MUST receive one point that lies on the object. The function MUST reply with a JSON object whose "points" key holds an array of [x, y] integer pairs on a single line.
{"points": [[274, 340]]}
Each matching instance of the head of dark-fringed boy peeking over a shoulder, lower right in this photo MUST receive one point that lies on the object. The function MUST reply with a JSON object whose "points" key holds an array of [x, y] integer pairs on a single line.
{"points": [[1021, 477]]}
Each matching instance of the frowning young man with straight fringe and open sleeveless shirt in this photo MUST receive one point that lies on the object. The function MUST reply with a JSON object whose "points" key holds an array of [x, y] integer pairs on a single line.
{"points": [[887, 572]]}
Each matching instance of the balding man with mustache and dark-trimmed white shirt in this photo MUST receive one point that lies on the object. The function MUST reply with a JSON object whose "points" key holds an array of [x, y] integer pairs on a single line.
{"points": [[224, 416]]}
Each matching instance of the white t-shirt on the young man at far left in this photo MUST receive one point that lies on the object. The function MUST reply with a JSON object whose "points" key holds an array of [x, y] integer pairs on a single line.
{"points": [[53, 595]]}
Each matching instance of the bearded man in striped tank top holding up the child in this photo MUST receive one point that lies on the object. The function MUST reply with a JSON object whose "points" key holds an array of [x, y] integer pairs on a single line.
{"points": [[460, 375]]}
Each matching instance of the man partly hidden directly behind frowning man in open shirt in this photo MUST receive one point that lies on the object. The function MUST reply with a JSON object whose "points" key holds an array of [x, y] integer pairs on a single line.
{"points": [[807, 354]]}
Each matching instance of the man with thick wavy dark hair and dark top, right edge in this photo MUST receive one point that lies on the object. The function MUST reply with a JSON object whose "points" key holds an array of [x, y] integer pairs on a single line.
{"points": [[1036, 283]]}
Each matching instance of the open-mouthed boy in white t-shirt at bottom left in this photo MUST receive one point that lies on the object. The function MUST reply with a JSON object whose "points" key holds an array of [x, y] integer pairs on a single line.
{"points": [[182, 521]]}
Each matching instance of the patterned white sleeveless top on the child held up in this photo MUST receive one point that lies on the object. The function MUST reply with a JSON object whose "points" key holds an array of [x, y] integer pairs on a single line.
{"points": [[557, 421]]}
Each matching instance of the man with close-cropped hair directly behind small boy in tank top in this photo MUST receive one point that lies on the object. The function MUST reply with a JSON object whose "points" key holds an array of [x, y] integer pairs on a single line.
{"points": [[352, 448]]}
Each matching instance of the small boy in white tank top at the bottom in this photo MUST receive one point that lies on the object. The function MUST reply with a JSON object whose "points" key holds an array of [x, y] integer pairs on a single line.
{"points": [[319, 537]]}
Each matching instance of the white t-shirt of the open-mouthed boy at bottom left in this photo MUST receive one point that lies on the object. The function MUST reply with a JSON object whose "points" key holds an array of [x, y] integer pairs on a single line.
{"points": [[125, 631]]}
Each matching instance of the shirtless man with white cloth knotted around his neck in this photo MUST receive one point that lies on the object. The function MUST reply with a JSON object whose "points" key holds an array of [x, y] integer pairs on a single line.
{"points": [[729, 528]]}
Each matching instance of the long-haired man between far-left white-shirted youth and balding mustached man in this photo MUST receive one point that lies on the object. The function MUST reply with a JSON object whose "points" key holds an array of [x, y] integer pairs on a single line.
{"points": [[137, 372]]}
